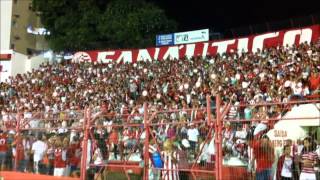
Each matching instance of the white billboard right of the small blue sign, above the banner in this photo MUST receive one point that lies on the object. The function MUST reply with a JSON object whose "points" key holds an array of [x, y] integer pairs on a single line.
{"points": [[191, 36]]}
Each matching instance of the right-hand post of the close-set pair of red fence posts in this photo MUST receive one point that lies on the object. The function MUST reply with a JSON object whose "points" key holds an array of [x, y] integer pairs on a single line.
{"points": [[218, 140]]}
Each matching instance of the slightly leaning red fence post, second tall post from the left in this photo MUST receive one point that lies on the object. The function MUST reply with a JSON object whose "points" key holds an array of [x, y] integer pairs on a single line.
{"points": [[86, 128]]}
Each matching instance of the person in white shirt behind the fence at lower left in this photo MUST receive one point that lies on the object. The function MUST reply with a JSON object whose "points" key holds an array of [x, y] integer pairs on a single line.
{"points": [[38, 149]]}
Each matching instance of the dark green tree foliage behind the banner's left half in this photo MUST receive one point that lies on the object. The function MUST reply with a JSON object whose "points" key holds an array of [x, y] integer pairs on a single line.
{"points": [[92, 24]]}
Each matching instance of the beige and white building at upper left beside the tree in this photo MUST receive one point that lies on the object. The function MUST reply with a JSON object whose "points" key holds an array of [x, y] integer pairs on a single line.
{"points": [[21, 50]]}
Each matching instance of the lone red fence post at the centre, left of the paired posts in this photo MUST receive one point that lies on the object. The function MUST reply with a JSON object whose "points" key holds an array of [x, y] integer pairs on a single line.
{"points": [[146, 143]]}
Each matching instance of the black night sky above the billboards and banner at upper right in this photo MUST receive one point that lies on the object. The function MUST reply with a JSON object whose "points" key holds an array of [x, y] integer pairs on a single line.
{"points": [[197, 14]]}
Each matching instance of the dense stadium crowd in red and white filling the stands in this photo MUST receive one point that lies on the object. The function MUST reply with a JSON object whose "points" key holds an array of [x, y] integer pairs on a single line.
{"points": [[51, 98]]}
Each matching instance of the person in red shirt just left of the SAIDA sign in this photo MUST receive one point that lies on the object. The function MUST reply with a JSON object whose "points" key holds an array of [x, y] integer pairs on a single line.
{"points": [[263, 152]]}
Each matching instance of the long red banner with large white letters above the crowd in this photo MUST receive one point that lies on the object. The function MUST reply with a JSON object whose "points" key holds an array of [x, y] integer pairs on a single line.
{"points": [[250, 43]]}
